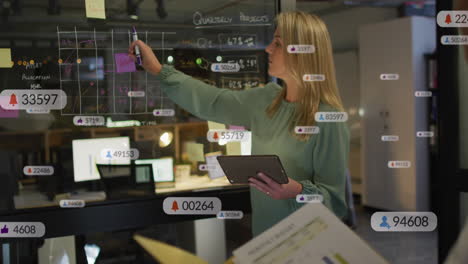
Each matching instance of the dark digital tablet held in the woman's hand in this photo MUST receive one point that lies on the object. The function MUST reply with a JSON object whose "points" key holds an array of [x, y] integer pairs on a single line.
{"points": [[238, 169]]}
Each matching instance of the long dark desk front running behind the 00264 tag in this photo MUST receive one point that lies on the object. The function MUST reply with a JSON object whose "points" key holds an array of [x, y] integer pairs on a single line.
{"points": [[113, 215]]}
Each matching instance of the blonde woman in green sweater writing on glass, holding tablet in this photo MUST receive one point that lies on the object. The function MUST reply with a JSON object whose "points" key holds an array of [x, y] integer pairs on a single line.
{"points": [[315, 164]]}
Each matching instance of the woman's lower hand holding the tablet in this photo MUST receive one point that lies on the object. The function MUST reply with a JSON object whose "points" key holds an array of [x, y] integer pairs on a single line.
{"points": [[274, 189]]}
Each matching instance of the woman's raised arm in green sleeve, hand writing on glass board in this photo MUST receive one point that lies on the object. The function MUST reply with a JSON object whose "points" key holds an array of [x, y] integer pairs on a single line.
{"points": [[202, 100]]}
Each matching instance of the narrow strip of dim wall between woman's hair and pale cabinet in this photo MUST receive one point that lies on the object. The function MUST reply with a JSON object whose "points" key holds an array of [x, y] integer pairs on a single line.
{"points": [[343, 27]]}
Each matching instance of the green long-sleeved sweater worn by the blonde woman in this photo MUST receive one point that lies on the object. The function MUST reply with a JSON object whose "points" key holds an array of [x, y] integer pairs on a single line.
{"points": [[319, 164]]}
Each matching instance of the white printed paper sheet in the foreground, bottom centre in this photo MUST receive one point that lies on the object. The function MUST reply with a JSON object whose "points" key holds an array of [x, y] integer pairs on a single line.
{"points": [[312, 234]]}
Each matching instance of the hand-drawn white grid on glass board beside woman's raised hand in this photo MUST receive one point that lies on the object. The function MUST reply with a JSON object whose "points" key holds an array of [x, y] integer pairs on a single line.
{"points": [[99, 78]]}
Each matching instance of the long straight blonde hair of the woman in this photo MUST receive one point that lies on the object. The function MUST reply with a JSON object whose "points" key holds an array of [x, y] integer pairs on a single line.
{"points": [[302, 28]]}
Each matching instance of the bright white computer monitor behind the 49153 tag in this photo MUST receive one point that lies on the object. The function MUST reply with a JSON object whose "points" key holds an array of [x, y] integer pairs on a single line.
{"points": [[87, 153]]}
